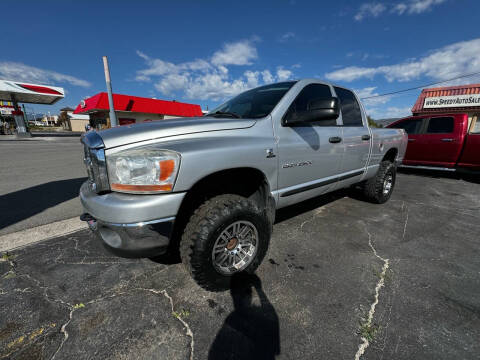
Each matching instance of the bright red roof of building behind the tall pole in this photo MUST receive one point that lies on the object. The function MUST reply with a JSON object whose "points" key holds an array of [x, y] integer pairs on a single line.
{"points": [[137, 104]]}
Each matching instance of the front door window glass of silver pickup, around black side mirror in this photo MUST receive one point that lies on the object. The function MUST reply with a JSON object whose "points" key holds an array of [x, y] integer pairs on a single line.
{"points": [[309, 94]]}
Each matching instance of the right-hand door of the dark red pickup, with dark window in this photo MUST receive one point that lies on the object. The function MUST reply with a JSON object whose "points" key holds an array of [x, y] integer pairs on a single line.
{"points": [[444, 135]]}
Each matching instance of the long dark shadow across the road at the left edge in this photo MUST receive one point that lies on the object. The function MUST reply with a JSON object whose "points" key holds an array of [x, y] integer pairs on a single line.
{"points": [[22, 204]]}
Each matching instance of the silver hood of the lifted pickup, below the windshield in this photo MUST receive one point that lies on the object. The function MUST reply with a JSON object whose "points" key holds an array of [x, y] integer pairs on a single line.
{"points": [[124, 135]]}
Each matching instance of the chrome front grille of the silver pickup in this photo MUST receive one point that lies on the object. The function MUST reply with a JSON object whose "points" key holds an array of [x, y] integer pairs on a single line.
{"points": [[94, 158]]}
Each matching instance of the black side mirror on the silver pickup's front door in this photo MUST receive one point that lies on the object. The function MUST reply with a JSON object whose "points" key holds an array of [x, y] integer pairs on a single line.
{"points": [[317, 110]]}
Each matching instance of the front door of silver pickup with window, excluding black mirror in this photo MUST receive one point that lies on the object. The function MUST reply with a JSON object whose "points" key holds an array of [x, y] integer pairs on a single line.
{"points": [[309, 154]]}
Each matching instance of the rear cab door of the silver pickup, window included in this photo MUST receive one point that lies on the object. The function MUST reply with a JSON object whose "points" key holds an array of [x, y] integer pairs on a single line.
{"points": [[356, 138]]}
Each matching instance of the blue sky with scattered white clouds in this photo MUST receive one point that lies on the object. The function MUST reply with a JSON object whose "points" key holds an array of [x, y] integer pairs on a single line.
{"points": [[206, 51]]}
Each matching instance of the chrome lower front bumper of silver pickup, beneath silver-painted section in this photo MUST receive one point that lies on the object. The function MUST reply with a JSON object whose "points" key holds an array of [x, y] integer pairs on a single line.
{"points": [[143, 239]]}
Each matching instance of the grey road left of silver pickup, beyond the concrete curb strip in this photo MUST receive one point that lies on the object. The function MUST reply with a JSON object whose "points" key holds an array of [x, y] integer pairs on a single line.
{"points": [[39, 183]]}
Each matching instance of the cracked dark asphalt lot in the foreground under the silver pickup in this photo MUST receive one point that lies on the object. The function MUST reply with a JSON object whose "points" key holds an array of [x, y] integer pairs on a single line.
{"points": [[68, 298]]}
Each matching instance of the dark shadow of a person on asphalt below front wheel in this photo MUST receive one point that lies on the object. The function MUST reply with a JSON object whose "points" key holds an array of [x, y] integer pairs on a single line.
{"points": [[249, 331]]}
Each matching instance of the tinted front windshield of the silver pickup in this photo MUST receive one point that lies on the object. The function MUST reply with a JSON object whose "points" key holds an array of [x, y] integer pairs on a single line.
{"points": [[255, 103]]}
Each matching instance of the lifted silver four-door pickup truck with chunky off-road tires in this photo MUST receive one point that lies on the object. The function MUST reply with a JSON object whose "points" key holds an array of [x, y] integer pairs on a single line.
{"points": [[209, 186]]}
